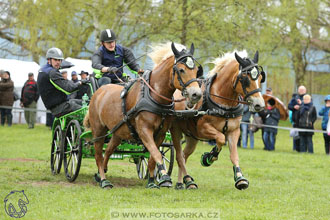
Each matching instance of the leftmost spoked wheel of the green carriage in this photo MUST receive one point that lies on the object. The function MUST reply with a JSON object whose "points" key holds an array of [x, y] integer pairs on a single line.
{"points": [[56, 151]]}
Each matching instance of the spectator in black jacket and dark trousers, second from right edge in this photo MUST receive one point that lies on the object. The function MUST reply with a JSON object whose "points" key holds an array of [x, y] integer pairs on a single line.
{"points": [[306, 118]]}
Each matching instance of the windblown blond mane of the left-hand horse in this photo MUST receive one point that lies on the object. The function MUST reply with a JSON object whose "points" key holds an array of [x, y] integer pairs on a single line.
{"points": [[163, 51]]}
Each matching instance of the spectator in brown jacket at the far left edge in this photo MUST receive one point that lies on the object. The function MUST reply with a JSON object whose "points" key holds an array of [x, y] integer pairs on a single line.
{"points": [[6, 98]]}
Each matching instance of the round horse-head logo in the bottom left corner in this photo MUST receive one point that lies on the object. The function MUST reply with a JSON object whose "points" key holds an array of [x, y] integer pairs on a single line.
{"points": [[15, 204]]}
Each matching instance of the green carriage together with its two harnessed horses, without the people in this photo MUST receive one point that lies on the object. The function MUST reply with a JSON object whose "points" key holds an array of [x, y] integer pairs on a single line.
{"points": [[143, 110]]}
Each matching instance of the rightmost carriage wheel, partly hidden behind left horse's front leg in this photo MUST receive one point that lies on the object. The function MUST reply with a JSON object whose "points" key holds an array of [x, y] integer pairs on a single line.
{"points": [[167, 151]]}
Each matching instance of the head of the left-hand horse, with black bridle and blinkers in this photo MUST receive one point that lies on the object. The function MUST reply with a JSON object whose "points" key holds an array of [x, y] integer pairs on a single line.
{"points": [[185, 73]]}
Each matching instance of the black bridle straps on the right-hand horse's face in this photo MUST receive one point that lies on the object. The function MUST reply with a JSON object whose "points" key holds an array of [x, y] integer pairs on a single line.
{"points": [[243, 78]]}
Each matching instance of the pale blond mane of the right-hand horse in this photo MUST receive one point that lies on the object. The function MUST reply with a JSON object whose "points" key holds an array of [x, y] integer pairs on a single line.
{"points": [[221, 61]]}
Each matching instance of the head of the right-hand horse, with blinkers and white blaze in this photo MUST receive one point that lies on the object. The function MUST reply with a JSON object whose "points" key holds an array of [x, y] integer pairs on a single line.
{"points": [[247, 83]]}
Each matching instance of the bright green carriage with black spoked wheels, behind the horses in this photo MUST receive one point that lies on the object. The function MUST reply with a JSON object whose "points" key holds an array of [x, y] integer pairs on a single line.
{"points": [[70, 143]]}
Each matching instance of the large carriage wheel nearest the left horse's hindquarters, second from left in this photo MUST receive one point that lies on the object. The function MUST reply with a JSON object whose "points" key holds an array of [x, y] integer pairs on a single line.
{"points": [[72, 152]]}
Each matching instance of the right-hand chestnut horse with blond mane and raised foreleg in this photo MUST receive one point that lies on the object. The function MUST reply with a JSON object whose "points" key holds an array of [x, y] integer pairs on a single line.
{"points": [[227, 81]]}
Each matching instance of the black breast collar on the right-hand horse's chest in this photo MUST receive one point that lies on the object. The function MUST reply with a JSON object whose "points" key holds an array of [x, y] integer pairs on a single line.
{"points": [[216, 109]]}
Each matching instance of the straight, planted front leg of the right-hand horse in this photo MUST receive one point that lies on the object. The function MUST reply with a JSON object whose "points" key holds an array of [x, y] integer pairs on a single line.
{"points": [[240, 181]]}
